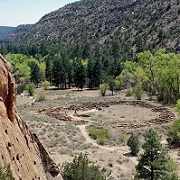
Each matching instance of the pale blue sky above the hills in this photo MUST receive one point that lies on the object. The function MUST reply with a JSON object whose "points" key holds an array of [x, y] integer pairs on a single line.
{"points": [[16, 12]]}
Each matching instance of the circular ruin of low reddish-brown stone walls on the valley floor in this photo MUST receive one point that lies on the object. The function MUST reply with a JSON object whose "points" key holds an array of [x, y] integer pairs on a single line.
{"points": [[128, 114]]}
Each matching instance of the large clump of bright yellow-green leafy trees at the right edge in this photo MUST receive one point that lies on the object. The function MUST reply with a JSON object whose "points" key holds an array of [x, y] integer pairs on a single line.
{"points": [[157, 73]]}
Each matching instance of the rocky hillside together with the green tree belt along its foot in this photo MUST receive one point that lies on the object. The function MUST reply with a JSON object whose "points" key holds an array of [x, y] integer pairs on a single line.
{"points": [[102, 44]]}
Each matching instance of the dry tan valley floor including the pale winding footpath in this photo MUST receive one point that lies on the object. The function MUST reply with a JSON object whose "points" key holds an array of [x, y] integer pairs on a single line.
{"points": [[64, 139]]}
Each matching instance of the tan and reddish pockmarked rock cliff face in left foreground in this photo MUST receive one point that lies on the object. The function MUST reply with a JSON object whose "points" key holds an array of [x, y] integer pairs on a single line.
{"points": [[18, 146]]}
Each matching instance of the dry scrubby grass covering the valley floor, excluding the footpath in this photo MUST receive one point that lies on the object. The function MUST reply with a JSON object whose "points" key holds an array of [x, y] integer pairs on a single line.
{"points": [[63, 140]]}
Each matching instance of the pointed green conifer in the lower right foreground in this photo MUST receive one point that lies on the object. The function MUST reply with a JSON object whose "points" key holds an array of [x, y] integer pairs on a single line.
{"points": [[154, 163]]}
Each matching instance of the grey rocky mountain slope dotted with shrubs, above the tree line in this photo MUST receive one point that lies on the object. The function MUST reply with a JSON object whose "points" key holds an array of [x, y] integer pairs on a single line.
{"points": [[134, 25]]}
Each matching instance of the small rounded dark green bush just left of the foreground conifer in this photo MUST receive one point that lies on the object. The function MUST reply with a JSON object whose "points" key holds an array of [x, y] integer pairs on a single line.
{"points": [[134, 144]]}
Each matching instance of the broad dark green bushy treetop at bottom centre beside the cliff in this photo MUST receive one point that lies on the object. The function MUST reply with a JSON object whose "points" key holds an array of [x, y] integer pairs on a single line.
{"points": [[81, 169]]}
